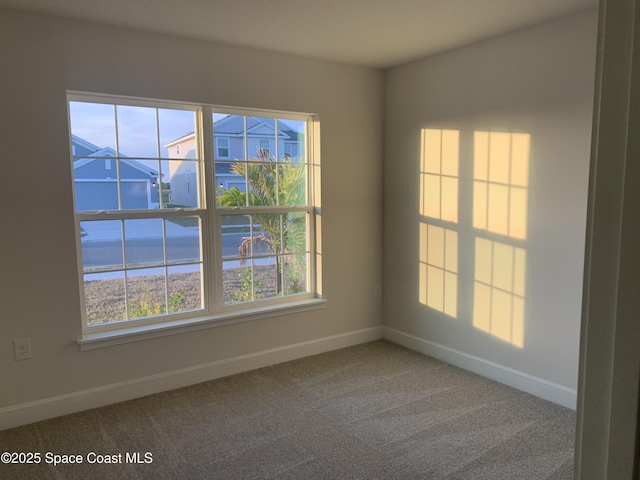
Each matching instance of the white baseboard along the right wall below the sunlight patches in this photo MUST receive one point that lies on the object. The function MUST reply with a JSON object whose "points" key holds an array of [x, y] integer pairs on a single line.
{"points": [[539, 387]]}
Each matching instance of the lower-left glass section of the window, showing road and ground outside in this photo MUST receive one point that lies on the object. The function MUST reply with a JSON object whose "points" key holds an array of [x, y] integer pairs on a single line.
{"points": [[131, 262]]}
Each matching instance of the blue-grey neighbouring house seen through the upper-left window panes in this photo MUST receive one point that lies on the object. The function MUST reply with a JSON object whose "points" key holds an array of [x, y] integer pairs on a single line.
{"points": [[96, 179]]}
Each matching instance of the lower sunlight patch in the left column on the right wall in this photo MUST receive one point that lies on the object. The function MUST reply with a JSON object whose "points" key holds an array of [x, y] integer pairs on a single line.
{"points": [[439, 269]]}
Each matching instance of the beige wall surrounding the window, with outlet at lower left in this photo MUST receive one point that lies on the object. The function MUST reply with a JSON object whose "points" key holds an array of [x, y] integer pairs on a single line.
{"points": [[42, 57]]}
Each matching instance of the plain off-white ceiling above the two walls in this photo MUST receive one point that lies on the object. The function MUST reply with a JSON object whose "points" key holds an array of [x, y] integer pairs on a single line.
{"points": [[375, 33]]}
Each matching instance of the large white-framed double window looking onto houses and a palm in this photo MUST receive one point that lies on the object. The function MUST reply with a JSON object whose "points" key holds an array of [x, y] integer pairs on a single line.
{"points": [[158, 242]]}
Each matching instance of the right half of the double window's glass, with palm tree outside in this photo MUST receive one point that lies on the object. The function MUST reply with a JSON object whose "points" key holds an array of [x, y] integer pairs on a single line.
{"points": [[268, 256]]}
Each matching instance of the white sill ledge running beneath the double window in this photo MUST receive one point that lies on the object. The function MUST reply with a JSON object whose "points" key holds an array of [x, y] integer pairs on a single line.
{"points": [[134, 333]]}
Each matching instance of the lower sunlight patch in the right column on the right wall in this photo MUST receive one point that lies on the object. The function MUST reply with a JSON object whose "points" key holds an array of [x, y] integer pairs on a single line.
{"points": [[499, 290]]}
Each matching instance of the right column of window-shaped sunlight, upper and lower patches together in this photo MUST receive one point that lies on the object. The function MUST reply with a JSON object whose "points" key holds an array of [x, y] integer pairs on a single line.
{"points": [[500, 198]]}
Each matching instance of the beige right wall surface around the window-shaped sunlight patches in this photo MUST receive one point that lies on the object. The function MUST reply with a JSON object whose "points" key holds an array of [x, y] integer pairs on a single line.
{"points": [[537, 81]]}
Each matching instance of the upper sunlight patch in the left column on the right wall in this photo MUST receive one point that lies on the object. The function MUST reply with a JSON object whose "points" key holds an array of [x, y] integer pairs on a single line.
{"points": [[439, 160]]}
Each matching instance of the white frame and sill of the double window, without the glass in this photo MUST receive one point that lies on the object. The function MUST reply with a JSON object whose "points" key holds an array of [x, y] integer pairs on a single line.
{"points": [[214, 312]]}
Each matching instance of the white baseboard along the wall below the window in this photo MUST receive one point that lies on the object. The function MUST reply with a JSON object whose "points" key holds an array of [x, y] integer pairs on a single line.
{"points": [[22, 414]]}
